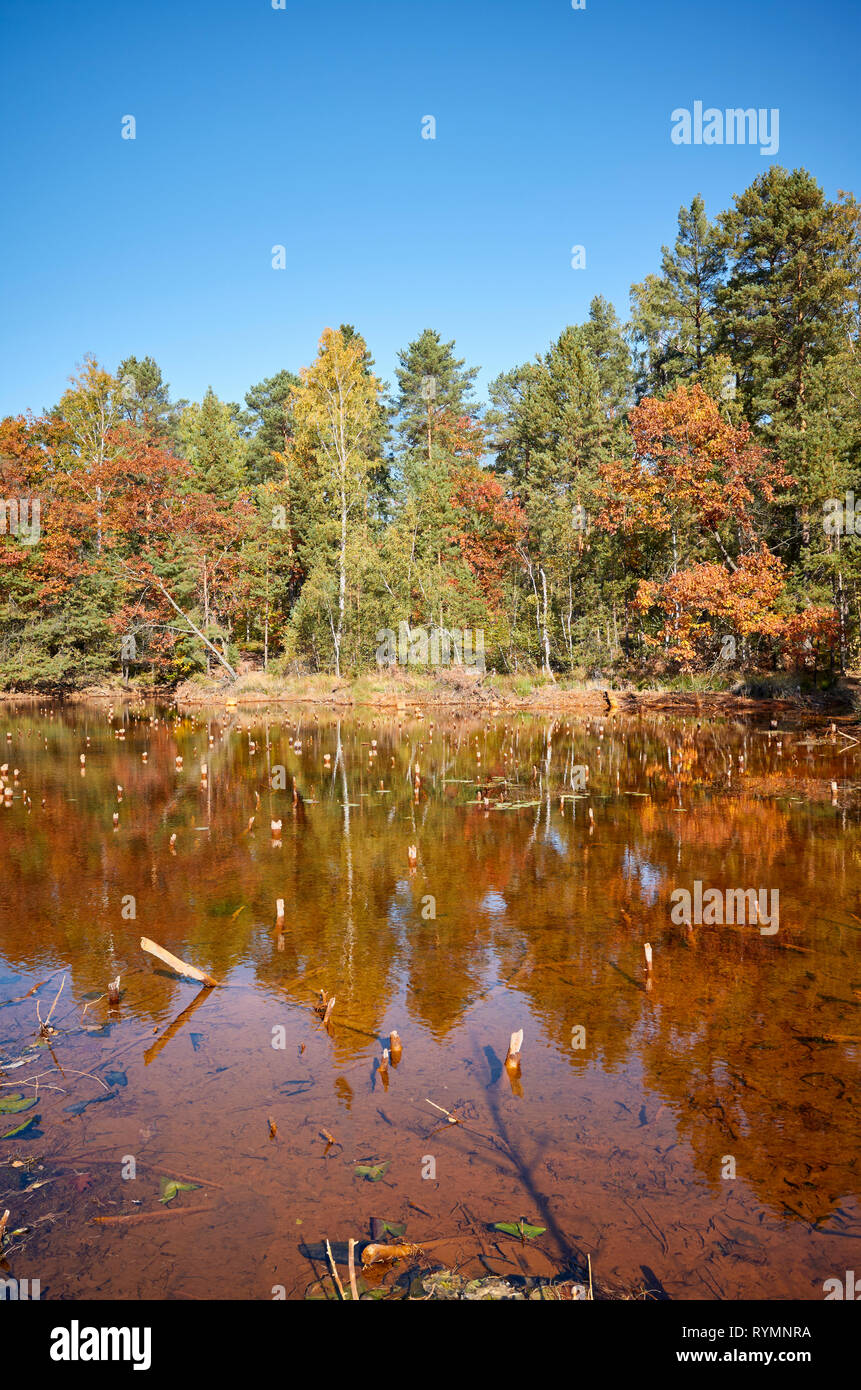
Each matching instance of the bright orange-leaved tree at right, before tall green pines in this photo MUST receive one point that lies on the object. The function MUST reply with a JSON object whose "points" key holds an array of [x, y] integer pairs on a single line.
{"points": [[699, 482]]}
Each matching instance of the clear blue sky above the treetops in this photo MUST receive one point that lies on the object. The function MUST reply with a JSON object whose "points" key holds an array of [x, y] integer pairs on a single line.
{"points": [[303, 127]]}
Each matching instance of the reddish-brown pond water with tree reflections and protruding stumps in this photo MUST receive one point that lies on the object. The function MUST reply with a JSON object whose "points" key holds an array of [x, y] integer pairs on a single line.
{"points": [[745, 1047]]}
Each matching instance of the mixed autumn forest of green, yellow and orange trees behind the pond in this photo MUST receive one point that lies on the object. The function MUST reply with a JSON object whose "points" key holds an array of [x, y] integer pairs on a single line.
{"points": [[656, 497]]}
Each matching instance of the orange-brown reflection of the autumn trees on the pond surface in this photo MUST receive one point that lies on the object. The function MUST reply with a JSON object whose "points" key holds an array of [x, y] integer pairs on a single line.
{"points": [[731, 1035]]}
